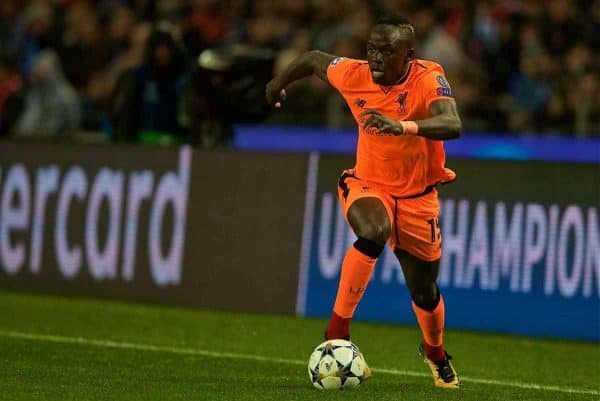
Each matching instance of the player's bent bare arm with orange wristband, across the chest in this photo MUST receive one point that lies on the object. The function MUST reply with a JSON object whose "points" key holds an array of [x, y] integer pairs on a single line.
{"points": [[443, 124]]}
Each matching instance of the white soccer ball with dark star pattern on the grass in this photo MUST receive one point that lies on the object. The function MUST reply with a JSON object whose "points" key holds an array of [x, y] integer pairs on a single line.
{"points": [[336, 364]]}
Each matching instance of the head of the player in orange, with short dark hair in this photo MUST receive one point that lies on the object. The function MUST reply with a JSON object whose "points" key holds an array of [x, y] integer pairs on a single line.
{"points": [[390, 48]]}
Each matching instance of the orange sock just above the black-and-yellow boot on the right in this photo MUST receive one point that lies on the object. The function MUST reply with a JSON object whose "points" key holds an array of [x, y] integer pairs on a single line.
{"points": [[432, 327]]}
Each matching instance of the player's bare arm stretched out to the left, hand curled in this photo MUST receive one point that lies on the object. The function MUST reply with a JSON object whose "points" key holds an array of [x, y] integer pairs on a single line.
{"points": [[309, 63]]}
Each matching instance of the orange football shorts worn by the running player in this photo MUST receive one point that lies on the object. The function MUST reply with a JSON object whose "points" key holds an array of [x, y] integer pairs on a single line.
{"points": [[415, 227]]}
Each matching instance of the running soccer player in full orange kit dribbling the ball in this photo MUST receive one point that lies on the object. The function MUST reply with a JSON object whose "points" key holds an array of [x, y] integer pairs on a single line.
{"points": [[404, 110]]}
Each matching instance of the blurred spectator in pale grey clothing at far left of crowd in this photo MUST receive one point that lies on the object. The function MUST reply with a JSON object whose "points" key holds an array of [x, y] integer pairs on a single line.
{"points": [[51, 104]]}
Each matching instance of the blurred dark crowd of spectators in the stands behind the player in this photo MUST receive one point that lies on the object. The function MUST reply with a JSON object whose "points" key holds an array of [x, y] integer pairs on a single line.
{"points": [[172, 71]]}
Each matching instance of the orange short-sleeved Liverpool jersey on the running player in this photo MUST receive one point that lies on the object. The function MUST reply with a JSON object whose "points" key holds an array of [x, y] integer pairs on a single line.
{"points": [[404, 165]]}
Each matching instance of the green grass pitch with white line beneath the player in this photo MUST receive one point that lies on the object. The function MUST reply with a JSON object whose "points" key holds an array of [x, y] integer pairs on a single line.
{"points": [[155, 353]]}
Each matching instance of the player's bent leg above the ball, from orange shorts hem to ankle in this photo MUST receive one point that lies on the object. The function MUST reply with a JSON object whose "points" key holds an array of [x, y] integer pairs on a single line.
{"points": [[370, 220]]}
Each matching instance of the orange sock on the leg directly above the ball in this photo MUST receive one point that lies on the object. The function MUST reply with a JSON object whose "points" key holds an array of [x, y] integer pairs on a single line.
{"points": [[356, 272]]}
